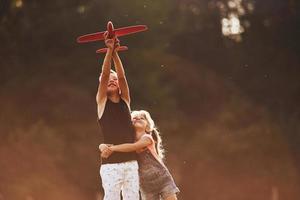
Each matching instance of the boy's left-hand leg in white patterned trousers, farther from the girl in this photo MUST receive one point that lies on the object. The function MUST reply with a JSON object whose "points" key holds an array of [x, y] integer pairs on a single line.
{"points": [[111, 175]]}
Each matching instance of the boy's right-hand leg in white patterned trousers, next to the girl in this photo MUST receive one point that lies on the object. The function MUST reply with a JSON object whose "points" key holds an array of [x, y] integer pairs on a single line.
{"points": [[130, 188]]}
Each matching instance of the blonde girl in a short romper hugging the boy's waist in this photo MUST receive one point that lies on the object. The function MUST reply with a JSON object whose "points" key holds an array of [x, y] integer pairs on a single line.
{"points": [[155, 179]]}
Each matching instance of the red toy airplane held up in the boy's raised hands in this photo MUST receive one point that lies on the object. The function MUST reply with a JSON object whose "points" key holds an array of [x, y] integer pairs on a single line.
{"points": [[111, 33]]}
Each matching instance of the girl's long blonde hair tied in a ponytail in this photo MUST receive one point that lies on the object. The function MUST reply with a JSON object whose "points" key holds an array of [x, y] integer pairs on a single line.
{"points": [[152, 130]]}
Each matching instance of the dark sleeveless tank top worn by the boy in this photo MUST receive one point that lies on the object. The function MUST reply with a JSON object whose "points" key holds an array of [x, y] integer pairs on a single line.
{"points": [[117, 128]]}
